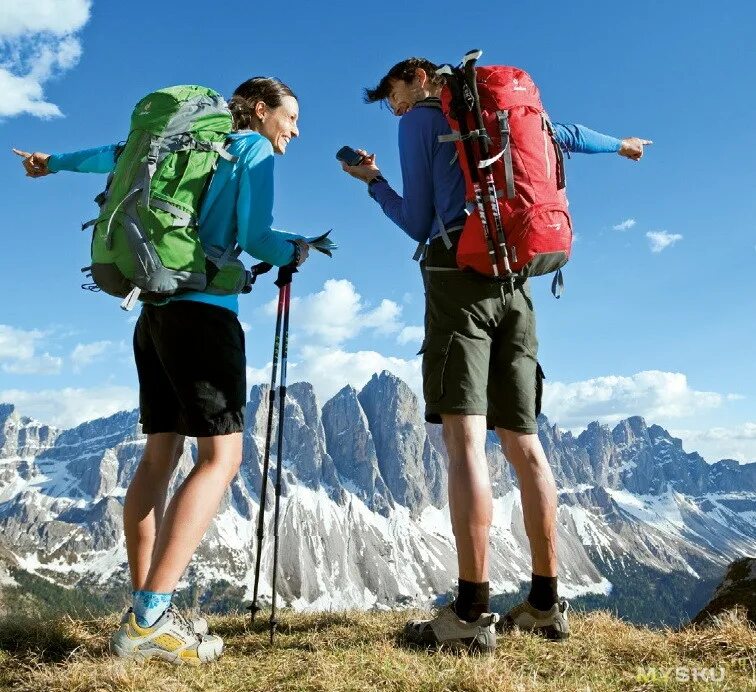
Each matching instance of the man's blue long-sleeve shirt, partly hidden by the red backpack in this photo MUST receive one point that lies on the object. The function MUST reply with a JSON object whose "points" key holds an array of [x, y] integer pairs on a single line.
{"points": [[433, 184]]}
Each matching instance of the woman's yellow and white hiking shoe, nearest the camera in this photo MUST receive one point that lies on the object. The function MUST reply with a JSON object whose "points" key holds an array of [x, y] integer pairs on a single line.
{"points": [[172, 638]]}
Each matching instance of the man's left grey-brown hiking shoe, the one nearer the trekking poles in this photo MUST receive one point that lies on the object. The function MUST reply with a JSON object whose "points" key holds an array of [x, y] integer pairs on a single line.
{"points": [[446, 630]]}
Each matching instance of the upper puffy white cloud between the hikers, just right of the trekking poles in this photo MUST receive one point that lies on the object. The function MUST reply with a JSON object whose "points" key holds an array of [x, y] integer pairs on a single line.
{"points": [[338, 313]]}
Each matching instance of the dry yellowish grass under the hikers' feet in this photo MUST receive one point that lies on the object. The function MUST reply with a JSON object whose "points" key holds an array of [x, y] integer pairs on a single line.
{"points": [[360, 651]]}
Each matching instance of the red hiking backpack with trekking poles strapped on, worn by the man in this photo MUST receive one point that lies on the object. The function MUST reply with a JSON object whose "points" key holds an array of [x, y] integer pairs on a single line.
{"points": [[514, 173]]}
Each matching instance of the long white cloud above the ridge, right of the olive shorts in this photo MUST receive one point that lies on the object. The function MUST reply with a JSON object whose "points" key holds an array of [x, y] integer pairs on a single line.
{"points": [[655, 395]]}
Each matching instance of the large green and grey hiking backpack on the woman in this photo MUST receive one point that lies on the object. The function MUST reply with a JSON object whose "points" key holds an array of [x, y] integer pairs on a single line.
{"points": [[145, 243]]}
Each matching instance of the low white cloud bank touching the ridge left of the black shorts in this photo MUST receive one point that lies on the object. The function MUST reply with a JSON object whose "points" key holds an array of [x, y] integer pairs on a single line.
{"points": [[65, 408]]}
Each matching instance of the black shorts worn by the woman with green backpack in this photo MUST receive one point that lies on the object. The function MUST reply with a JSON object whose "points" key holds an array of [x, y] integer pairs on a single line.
{"points": [[192, 369]]}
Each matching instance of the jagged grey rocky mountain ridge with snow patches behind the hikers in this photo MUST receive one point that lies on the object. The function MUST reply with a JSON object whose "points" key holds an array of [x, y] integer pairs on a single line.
{"points": [[364, 502]]}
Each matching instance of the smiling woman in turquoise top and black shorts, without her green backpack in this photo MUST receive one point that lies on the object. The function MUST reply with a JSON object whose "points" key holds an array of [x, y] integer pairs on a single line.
{"points": [[190, 360]]}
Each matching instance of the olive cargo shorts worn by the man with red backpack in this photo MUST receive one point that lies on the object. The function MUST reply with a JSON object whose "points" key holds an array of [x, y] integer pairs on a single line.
{"points": [[480, 348]]}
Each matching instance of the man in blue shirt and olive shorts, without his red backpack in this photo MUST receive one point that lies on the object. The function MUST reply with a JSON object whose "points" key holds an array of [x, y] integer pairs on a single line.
{"points": [[480, 364]]}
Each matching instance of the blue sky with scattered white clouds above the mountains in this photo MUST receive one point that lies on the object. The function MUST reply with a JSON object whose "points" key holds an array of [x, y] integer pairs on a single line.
{"points": [[666, 334]]}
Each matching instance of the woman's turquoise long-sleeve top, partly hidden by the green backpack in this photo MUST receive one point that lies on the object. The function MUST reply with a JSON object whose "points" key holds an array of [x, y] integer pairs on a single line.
{"points": [[238, 205]]}
